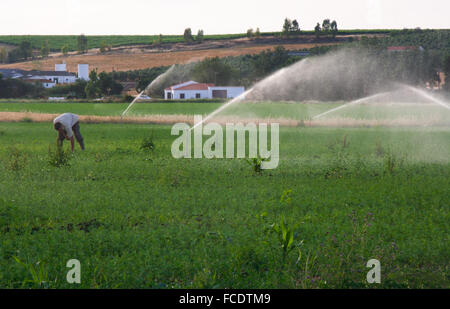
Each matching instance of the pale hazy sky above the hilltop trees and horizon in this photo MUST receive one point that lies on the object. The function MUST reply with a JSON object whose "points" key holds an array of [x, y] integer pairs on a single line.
{"points": [[147, 17]]}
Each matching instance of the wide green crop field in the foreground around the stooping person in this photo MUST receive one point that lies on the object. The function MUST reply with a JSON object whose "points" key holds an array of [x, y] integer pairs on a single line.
{"points": [[140, 219]]}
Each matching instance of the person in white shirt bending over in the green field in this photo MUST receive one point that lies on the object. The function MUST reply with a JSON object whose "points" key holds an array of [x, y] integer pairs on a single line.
{"points": [[67, 125]]}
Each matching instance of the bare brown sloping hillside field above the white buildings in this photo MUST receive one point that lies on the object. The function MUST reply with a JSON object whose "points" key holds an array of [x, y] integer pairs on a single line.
{"points": [[135, 57]]}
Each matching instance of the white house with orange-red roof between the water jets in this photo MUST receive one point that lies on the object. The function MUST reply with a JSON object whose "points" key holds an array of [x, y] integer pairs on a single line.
{"points": [[195, 90]]}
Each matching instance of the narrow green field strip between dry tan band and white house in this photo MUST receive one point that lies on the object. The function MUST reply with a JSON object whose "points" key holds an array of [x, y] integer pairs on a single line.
{"points": [[297, 111]]}
